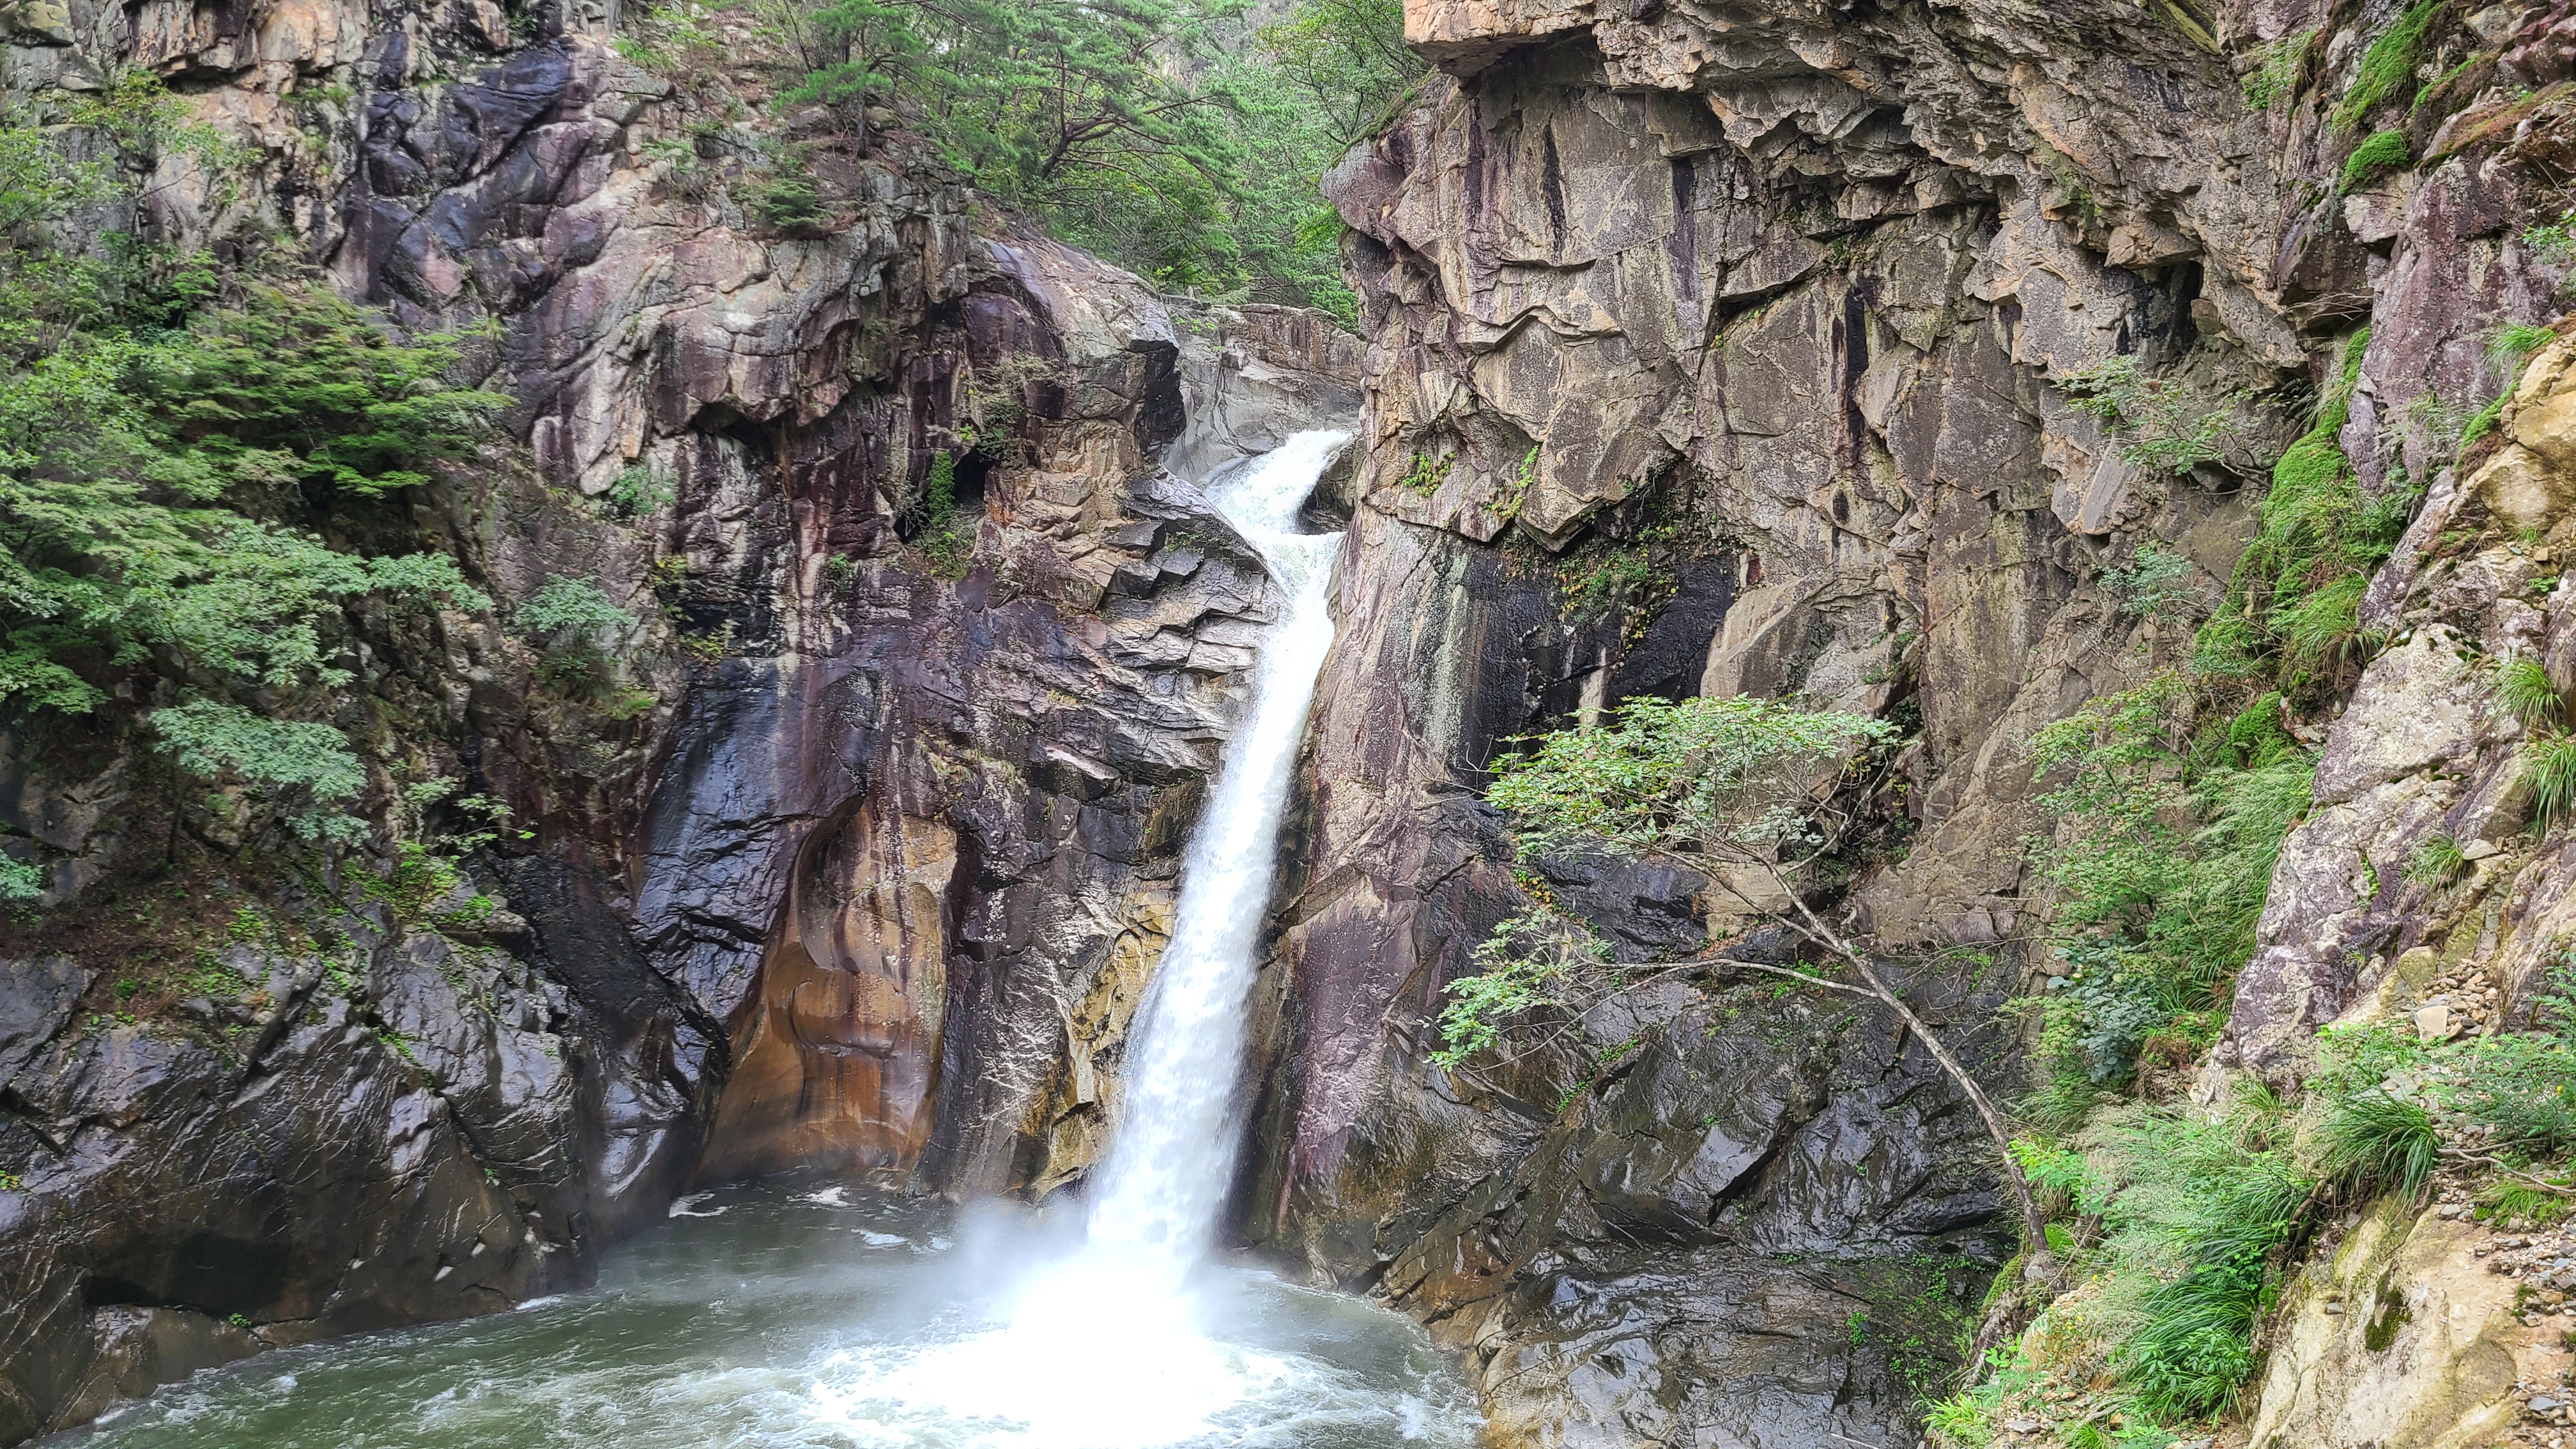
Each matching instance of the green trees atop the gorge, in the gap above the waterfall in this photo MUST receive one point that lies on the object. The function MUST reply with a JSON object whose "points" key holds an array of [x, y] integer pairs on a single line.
{"points": [[1132, 128]]}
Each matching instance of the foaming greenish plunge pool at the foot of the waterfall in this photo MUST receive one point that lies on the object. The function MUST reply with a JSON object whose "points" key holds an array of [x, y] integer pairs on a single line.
{"points": [[828, 1319]]}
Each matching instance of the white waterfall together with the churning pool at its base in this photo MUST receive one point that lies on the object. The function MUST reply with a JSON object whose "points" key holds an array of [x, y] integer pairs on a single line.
{"points": [[828, 1319]]}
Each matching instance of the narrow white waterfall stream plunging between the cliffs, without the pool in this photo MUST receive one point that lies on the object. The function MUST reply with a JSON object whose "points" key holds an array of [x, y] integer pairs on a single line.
{"points": [[1158, 1195]]}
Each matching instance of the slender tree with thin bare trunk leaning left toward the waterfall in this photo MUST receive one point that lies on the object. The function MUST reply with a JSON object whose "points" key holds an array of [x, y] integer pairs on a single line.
{"points": [[1727, 788]]}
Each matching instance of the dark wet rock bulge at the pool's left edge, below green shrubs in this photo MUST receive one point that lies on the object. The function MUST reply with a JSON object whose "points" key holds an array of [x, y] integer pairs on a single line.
{"points": [[187, 1195]]}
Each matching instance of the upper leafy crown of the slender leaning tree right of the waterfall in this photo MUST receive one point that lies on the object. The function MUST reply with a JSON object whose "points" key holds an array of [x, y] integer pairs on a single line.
{"points": [[1707, 777]]}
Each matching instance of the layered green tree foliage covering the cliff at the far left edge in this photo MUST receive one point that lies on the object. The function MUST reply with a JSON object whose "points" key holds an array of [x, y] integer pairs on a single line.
{"points": [[156, 447]]}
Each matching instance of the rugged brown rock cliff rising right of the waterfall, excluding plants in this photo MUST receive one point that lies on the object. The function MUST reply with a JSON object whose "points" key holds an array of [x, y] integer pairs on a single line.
{"points": [[1738, 349]]}
